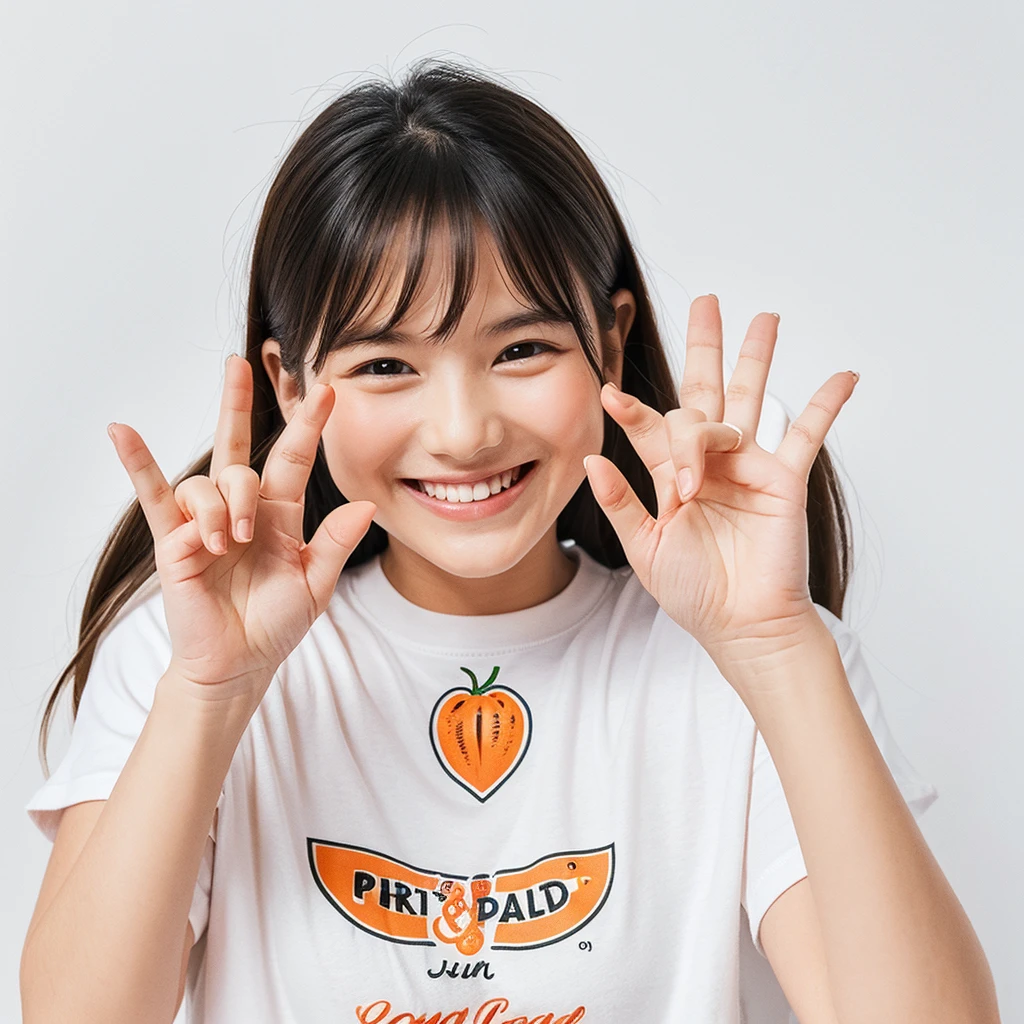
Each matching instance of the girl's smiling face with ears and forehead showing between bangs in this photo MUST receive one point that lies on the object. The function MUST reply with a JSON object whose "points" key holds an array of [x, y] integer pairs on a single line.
{"points": [[416, 419]]}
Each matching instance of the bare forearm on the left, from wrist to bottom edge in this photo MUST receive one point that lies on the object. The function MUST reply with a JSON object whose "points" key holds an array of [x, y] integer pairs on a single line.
{"points": [[109, 946]]}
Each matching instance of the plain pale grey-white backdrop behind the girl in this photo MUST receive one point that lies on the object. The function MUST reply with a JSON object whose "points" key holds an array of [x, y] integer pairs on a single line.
{"points": [[855, 167]]}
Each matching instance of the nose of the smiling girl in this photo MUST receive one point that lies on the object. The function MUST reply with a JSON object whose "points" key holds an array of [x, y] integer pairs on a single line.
{"points": [[461, 418]]}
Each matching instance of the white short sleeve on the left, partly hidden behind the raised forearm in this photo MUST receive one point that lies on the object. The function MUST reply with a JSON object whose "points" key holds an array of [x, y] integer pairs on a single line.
{"points": [[130, 660]]}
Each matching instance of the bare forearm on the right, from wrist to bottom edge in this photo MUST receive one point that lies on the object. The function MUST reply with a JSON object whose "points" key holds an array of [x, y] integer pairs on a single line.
{"points": [[898, 942]]}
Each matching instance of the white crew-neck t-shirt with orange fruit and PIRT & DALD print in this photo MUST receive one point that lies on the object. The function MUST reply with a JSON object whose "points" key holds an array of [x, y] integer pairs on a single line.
{"points": [[577, 839]]}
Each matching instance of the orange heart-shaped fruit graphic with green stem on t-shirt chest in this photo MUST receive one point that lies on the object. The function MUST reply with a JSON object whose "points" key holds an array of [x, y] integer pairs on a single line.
{"points": [[481, 734]]}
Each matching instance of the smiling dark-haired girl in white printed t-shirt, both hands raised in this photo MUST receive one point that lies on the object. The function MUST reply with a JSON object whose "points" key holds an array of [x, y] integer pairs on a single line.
{"points": [[479, 674]]}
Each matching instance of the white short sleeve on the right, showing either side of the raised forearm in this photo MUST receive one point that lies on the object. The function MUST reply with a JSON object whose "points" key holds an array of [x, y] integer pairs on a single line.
{"points": [[774, 861]]}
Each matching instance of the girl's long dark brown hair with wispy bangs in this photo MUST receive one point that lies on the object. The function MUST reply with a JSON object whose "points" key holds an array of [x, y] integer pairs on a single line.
{"points": [[447, 145]]}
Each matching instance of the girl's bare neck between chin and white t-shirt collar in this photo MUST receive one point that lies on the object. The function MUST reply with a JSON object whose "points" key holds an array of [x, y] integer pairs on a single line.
{"points": [[539, 576]]}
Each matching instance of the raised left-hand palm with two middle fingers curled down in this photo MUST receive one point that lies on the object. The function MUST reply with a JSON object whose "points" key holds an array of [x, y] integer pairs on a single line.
{"points": [[238, 600]]}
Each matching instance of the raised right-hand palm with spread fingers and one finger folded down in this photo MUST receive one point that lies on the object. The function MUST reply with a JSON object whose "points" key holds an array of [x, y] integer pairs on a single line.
{"points": [[728, 557]]}
